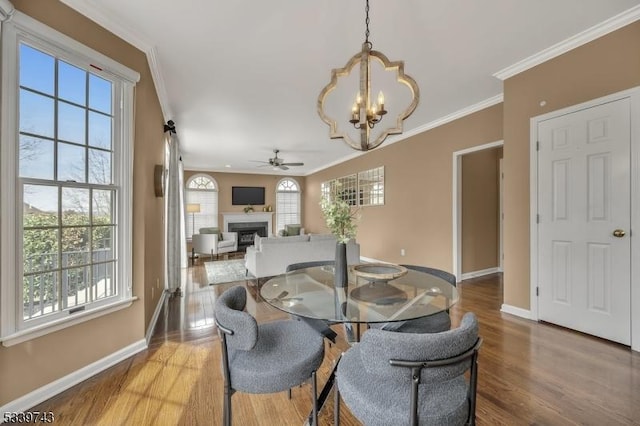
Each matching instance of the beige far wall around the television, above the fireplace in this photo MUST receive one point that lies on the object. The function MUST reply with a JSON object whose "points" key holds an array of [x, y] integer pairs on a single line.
{"points": [[227, 180]]}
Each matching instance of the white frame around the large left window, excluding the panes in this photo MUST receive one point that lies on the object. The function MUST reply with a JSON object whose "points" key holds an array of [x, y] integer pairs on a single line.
{"points": [[13, 329]]}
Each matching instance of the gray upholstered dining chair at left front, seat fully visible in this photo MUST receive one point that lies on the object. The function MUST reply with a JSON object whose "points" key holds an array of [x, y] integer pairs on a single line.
{"points": [[264, 358]]}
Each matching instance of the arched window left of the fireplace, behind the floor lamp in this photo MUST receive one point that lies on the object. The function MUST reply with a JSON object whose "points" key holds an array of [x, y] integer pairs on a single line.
{"points": [[202, 190]]}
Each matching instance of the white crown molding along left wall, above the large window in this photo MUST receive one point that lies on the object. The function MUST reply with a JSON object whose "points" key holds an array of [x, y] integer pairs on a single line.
{"points": [[107, 21]]}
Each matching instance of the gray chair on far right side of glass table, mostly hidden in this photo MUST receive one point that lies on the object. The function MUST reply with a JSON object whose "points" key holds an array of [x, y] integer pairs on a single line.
{"points": [[433, 323]]}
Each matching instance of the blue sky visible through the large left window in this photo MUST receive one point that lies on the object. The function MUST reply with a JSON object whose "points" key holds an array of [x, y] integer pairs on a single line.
{"points": [[79, 148]]}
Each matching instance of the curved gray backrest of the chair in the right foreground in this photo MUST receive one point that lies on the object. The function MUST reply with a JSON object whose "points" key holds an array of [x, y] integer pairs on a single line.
{"points": [[379, 347]]}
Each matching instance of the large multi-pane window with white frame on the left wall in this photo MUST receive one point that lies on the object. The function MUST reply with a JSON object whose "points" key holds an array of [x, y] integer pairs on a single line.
{"points": [[66, 243]]}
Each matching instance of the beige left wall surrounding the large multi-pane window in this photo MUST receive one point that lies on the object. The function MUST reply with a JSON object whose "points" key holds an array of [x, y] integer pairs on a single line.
{"points": [[28, 366]]}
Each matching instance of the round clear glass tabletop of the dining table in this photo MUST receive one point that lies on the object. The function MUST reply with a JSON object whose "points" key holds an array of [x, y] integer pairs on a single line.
{"points": [[311, 293]]}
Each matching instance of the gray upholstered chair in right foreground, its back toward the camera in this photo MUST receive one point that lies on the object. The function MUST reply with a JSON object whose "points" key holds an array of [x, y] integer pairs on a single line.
{"points": [[376, 377]]}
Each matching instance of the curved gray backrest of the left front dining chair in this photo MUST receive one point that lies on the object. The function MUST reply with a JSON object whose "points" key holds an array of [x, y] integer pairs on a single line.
{"points": [[240, 328]]}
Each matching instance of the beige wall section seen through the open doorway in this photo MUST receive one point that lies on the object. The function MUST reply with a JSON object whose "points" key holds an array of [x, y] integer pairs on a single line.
{"points": [[480, 204]]}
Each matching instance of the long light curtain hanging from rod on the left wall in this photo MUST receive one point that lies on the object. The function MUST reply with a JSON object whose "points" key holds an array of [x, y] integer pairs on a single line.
{"points": [[176, 246]]}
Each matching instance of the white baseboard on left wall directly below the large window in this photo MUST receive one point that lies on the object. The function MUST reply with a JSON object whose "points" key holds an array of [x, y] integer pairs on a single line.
{"points": [[52, 389]]}
